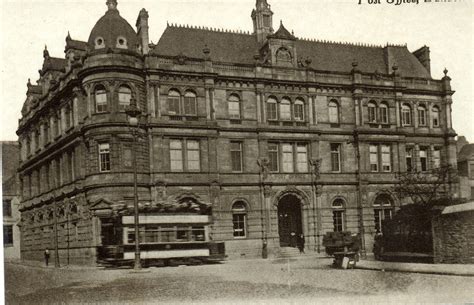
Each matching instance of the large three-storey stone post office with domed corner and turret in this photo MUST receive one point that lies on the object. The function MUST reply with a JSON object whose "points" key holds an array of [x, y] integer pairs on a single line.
{"points": [[282, 135]]}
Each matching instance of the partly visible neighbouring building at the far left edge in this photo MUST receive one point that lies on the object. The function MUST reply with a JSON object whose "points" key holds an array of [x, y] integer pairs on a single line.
{"points": [[11, 199]]}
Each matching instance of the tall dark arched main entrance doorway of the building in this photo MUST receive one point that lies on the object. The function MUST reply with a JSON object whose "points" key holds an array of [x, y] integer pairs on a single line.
{"points": [[289, 220]]}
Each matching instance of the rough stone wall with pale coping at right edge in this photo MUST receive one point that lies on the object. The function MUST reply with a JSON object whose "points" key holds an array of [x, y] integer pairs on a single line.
{"points": [[453, 235]]}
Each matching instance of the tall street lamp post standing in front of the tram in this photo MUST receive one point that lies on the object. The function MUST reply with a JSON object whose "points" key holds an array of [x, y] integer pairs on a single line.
{"points": [[133, 114]]}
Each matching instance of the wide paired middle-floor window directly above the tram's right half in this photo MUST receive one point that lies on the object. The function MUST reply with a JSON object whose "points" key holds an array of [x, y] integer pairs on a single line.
{"points": [[184, 155]]}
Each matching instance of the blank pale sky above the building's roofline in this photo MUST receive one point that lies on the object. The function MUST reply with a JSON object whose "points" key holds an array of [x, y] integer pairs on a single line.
{"points": [[447, 28]]}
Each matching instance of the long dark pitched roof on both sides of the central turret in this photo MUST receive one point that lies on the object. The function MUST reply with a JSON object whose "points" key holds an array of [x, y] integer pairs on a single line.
{"points": [[240, 48]]}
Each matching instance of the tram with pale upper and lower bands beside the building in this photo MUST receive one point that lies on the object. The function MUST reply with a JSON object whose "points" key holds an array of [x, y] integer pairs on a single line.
{"points": [[165, 239]]}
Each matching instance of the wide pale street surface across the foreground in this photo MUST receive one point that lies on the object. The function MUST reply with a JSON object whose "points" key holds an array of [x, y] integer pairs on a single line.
{"points": [[305, 280]]}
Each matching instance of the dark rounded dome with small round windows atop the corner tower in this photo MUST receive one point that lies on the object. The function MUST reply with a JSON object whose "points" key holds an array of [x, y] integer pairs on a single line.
{"points": [[113, 31]]}
